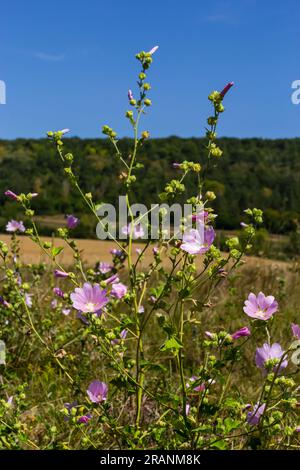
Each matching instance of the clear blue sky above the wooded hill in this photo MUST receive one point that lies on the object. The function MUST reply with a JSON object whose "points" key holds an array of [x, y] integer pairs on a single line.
{"points": [[69, 63]]}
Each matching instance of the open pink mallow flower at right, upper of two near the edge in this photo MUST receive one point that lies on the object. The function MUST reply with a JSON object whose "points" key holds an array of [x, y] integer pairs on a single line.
{"points": [[261, 307]]}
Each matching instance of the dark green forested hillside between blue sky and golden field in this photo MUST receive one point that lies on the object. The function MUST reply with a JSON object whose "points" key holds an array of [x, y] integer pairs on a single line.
{"points": [[251, 173]]}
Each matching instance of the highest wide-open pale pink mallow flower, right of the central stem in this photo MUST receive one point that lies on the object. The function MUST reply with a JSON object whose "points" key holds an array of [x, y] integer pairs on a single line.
{"points": [[198, 242]]}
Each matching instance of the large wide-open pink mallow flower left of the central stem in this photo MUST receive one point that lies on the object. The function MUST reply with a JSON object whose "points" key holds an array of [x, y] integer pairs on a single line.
{"points": [[89, 299]]}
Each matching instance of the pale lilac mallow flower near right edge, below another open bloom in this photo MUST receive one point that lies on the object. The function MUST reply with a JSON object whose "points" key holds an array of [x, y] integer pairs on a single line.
{"points": [[272, 353]]}
